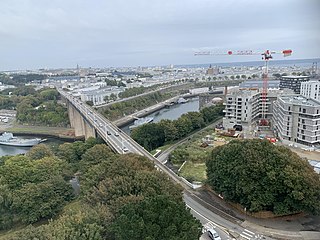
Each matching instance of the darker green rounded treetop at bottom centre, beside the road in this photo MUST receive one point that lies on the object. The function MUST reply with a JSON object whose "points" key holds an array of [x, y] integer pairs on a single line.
{"points": [[155, 218]]}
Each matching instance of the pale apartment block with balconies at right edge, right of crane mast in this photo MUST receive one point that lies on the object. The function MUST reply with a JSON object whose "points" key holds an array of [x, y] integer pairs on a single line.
{"points": [[297, 119]]}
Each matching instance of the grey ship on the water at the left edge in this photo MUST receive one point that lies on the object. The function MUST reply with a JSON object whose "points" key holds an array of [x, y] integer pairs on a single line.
{"points": [[9, 140]]}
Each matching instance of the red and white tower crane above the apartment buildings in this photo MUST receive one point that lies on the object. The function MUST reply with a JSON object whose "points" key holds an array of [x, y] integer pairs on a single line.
{"points": [[266, 56]]}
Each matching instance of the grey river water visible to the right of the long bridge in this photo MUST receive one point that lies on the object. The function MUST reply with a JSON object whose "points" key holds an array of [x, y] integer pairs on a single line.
{"points": [[171, 113]]}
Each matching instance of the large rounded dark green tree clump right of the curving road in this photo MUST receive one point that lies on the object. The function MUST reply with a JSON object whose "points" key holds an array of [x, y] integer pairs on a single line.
{"points": [[262, 176]]}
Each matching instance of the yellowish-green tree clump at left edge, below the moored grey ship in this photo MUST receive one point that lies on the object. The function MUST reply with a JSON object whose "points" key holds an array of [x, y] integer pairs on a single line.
{"points": [[32, 189]]}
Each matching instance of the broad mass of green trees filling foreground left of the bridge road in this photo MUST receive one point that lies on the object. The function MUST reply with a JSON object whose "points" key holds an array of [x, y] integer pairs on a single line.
{"points": [[118, 193]]}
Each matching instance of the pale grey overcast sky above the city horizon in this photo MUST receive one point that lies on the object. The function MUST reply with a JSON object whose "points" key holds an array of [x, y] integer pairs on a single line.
{"points": [[114, 33]]}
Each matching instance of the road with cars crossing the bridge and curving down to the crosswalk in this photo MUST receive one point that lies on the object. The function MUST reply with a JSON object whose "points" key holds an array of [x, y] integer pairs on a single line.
{"points": [[122, 143]]}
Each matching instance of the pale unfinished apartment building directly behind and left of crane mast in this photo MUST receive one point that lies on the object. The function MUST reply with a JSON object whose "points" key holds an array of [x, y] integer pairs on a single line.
{"points": [[245, 106]]}
